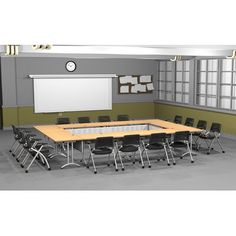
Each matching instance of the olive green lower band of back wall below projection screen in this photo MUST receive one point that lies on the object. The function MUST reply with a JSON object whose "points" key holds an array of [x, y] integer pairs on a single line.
{"points": [[26, 115]]}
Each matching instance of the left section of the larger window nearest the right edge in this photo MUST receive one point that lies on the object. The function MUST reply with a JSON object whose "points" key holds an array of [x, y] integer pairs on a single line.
{"points": [[206, 92]]}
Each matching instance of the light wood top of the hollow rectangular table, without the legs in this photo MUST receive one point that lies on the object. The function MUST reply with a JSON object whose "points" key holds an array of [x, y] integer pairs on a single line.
{"points": [[59, 133]]}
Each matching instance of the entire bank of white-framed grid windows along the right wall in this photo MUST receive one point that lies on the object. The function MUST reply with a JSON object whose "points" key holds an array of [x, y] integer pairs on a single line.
{"points": [[214, 80]]}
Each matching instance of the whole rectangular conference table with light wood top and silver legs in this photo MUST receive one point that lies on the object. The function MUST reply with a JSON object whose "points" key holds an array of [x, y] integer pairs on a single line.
{"points": [[81, 133]]}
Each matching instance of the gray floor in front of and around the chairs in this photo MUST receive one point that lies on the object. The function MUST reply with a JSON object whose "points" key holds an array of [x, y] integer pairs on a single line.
{"points": [[213, 172]]}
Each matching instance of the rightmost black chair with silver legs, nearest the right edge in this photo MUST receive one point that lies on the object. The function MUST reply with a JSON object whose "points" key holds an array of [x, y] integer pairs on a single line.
{"points": [[210, 137]]}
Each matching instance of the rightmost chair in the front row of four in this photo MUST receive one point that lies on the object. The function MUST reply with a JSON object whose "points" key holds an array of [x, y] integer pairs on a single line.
{"points": [[181, 140]]}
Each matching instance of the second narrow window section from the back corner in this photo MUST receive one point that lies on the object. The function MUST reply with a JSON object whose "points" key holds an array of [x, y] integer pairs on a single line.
{"points": [[182, 82]]}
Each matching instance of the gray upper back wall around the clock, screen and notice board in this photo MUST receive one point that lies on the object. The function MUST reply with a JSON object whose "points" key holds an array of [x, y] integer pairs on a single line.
{"points": [[18, 89]]}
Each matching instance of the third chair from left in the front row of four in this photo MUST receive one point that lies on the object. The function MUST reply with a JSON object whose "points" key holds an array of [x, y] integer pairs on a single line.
{"points": [[157, 142]]}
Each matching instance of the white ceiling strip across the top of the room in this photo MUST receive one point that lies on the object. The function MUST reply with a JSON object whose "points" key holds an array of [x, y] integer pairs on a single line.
{"points": [[128, 51]]}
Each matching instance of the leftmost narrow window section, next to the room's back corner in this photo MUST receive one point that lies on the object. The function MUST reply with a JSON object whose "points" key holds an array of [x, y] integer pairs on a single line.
{"points": [[165, 81]]}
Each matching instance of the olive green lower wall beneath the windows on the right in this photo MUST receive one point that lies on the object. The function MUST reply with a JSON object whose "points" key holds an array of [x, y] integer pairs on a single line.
{"points": [[168, 112]]}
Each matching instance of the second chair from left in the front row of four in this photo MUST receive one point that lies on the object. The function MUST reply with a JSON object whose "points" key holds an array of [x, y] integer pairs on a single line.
{"points": [[129, 144]]}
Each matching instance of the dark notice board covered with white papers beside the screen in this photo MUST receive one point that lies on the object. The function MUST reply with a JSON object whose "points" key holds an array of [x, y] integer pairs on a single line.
{"points": [[135, 84]]}
